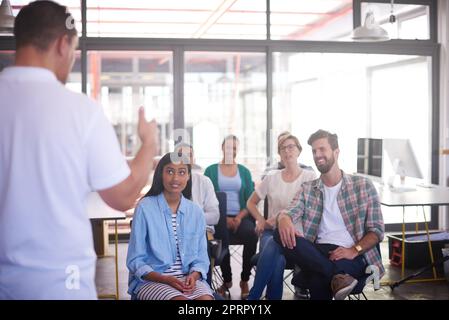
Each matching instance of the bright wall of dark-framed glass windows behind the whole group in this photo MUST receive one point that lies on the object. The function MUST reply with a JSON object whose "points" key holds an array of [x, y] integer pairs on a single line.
{"points": [[255, 68]]}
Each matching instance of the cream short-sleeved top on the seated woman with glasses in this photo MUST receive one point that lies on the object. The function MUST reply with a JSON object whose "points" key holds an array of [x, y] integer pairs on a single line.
{"points": [[279, 192]]}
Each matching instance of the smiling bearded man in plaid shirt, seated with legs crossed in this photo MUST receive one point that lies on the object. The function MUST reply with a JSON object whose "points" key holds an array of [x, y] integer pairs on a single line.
{"points": [[332, 225]]}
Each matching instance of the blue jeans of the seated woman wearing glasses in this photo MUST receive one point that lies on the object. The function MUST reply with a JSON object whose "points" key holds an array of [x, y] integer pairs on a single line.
{"points": [[270, 270]]}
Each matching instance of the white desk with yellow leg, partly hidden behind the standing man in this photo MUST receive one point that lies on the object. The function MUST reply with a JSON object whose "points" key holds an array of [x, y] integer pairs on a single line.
{"points": [[98, 210]]}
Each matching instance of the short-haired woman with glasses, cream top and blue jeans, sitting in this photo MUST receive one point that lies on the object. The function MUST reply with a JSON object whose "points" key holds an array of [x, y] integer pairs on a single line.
{"points": [[279, 188]]}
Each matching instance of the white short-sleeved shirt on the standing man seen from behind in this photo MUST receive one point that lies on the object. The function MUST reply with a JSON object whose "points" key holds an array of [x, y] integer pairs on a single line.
{"points": [[55, 147]]}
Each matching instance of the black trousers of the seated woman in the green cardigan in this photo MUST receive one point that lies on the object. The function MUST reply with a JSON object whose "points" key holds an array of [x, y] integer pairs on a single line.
{"points": [[244, 235]]}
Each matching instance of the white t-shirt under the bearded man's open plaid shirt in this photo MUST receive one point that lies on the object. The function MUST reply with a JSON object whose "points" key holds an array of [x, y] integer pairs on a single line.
{"points": [[332, 228]]}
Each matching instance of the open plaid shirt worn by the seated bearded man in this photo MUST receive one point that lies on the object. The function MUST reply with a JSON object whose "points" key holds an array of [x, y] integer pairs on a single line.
{"points": [[359, 205]]}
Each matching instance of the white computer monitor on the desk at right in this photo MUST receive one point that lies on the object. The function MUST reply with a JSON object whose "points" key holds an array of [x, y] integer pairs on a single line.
{"points": [[402, 158]]}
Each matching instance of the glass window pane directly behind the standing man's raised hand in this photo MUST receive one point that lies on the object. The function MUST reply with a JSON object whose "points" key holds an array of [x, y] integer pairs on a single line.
{"points": [[122, 81]]}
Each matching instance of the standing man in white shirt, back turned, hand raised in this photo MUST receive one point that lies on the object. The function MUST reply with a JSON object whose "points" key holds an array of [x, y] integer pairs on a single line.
{"points": [[56, 147]]}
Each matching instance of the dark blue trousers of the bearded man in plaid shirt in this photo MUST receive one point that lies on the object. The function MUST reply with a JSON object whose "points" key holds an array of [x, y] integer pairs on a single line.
{"points": [[316, 268]]}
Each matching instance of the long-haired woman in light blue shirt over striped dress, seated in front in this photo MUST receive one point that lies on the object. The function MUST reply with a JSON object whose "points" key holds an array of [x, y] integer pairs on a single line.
{"points": [[167, 254]]}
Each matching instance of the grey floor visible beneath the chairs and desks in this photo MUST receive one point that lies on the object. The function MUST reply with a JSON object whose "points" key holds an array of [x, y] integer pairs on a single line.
{"points": [[410, 291]]}
